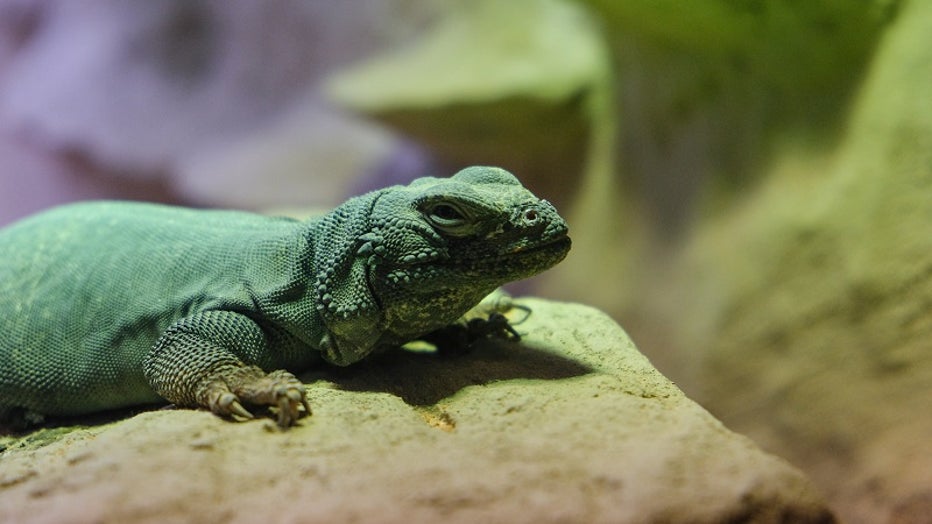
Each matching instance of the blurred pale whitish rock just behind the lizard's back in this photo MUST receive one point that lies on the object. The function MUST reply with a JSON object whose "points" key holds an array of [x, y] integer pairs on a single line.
{"points": [[312, 157]]}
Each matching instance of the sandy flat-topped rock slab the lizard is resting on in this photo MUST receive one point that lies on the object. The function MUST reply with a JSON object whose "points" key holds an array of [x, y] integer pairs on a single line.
{"points": [[571, 425]]}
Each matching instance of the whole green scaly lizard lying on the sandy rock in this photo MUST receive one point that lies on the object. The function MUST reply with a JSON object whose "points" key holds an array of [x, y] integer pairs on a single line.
{"points": [[113, 304]]}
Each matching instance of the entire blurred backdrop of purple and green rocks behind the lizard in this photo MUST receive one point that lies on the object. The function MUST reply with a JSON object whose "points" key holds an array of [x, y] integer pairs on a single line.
{"points": [[748, 184]]}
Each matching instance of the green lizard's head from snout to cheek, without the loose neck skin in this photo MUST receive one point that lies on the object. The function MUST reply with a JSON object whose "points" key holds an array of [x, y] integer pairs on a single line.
{"points": [[478, 229]]}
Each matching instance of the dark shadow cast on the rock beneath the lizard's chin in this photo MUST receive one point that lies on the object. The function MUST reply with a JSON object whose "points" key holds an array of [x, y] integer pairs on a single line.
{"points": [[425, 378]]}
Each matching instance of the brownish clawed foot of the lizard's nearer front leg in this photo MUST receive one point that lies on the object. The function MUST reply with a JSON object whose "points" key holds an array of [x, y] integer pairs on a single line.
{"points": [[279, 389]]}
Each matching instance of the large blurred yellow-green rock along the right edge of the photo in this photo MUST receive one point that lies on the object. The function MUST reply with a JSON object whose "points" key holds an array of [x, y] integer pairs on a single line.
{"points": [[802, 317]]}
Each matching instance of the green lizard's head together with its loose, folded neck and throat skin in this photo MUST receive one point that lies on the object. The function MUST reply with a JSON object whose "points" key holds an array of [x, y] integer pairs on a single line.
{"points": [[417, 257]]}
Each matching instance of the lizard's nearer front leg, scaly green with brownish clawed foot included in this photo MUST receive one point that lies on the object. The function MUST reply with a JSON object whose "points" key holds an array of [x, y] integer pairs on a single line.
{"points": [[209, 360]]}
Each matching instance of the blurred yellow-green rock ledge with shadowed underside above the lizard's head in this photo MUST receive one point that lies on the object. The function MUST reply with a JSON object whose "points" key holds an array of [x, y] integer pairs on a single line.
{"points": [[518, 96]]}
